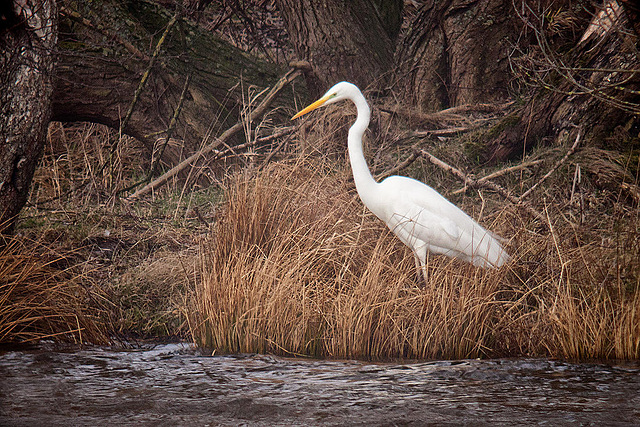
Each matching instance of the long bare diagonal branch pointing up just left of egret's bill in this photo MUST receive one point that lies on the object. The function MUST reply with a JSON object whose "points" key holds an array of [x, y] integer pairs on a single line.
{"points": [[221, 140]]}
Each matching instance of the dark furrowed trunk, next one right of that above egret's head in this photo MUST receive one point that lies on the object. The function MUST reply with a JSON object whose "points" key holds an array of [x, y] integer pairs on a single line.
{"points": [[457, 52]]}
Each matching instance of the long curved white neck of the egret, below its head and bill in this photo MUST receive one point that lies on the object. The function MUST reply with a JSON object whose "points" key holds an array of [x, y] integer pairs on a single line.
{"points": [[361, 174]]}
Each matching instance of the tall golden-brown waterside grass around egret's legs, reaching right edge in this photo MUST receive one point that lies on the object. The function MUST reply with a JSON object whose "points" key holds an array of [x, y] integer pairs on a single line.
{"points": [[297, 266]]}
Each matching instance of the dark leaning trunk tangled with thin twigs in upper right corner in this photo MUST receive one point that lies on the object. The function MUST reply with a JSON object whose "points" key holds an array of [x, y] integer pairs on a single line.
{"points": [[594, 86]]}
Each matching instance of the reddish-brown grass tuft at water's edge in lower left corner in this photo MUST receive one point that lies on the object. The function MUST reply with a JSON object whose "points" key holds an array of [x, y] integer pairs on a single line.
{"points": [[40, 298]]}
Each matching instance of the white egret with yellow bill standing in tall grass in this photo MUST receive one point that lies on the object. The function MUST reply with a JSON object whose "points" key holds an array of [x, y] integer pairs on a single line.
{"points": [[417, 214]]}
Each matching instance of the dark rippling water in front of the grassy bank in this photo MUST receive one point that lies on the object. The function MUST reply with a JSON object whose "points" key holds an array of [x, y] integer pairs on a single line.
{"points": [[173, 384]]}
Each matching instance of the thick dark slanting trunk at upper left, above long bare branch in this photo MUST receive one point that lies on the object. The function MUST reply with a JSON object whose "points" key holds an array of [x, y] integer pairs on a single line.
{"points": [[105, 49]]}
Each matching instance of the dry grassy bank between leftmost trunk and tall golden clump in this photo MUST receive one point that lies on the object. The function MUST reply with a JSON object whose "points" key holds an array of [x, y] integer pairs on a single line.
{"points": [[138, 258]]}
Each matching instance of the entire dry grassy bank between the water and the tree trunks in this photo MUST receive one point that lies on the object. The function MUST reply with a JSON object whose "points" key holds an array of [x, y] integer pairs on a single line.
{"points": [[87, 265]]}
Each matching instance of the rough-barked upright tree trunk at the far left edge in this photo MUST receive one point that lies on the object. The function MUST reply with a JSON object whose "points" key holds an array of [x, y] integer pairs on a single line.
{"points": [[28, 34]]}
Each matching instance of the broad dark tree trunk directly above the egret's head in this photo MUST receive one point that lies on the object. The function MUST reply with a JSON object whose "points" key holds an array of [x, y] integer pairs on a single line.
{"points": [[351, 40]]}
